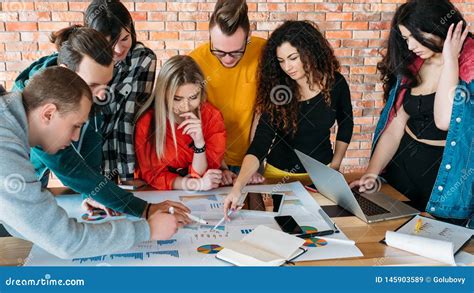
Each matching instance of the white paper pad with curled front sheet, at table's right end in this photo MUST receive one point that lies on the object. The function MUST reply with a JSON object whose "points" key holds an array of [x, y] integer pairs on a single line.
{"points": [[434, 239]]}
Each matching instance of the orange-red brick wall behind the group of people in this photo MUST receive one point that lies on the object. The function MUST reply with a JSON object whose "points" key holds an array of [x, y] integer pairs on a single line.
{"points": [[356, 29]]}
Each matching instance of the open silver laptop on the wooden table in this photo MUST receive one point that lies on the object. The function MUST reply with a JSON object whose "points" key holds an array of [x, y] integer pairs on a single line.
{"points": [[369, 207]]}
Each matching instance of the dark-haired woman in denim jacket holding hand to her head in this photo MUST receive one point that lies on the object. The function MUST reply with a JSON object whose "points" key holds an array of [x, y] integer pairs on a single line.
{"points": [[423, 144]]}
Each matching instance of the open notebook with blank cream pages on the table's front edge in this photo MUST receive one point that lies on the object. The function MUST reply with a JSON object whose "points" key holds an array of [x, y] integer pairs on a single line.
{"points": [[262, 247]]}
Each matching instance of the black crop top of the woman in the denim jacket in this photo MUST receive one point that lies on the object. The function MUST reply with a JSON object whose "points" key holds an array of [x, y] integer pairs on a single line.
{"points": [[421, 121]]}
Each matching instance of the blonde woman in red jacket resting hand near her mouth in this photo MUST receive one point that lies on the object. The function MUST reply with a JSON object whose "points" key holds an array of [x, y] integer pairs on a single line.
{"points": [[180, 143]]}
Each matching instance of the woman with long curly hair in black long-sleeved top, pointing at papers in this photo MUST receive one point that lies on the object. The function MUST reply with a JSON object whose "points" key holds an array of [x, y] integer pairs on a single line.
{"points": [[300, 96]]}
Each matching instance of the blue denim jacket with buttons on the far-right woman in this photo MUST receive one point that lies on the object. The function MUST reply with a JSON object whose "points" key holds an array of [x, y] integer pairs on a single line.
{"points": [[452, 194]]}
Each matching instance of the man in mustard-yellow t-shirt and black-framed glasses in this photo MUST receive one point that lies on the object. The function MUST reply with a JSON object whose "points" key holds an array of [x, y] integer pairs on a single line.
{"points": [[230, 63]]}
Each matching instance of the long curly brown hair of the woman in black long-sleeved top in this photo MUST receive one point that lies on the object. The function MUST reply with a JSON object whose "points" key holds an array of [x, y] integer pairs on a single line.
{"points": [[320, 65]]}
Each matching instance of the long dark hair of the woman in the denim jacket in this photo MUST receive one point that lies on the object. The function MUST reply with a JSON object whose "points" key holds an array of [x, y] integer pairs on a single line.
{"points": [[419, 17]]}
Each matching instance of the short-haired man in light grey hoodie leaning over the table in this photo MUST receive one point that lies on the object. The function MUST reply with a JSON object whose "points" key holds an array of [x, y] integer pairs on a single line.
{"points": [[49, 113]]}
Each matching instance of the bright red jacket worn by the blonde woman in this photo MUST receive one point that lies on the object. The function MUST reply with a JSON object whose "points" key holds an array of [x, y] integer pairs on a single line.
{"points": [[161, 174]]}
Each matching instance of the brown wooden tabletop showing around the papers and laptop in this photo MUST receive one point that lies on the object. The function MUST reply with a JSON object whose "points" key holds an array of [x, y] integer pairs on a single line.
{"points": [[13, 251]]}
